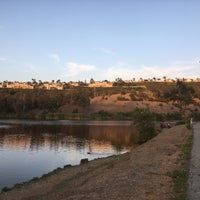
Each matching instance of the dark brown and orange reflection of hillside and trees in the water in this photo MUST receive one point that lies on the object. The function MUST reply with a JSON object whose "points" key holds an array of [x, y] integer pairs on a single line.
{"points": [[55, 136]]}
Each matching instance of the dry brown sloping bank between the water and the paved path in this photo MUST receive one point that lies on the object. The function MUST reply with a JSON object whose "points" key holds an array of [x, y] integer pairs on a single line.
{"points": [[138, 175]]}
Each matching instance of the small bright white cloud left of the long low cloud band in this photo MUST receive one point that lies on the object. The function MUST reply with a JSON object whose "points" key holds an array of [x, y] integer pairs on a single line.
{"points": [[75, 69]]}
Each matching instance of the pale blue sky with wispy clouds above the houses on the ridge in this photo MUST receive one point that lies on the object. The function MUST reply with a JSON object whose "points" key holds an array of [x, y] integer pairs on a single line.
{"points": [[76, 40]]}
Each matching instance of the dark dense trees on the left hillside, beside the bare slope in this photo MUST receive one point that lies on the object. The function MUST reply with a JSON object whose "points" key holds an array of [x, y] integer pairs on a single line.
{"points": [[22, 101]]}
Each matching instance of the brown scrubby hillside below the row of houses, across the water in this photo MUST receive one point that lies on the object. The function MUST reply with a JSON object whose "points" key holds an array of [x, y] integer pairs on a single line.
{"points": [[89, 103]]}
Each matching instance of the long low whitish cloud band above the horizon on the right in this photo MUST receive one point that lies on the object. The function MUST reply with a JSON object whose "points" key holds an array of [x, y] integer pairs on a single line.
{"points": [[177, 69]]}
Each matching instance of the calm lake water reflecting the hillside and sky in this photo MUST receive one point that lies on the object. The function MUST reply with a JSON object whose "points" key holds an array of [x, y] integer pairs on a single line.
{"points": [[31, 148]]}
